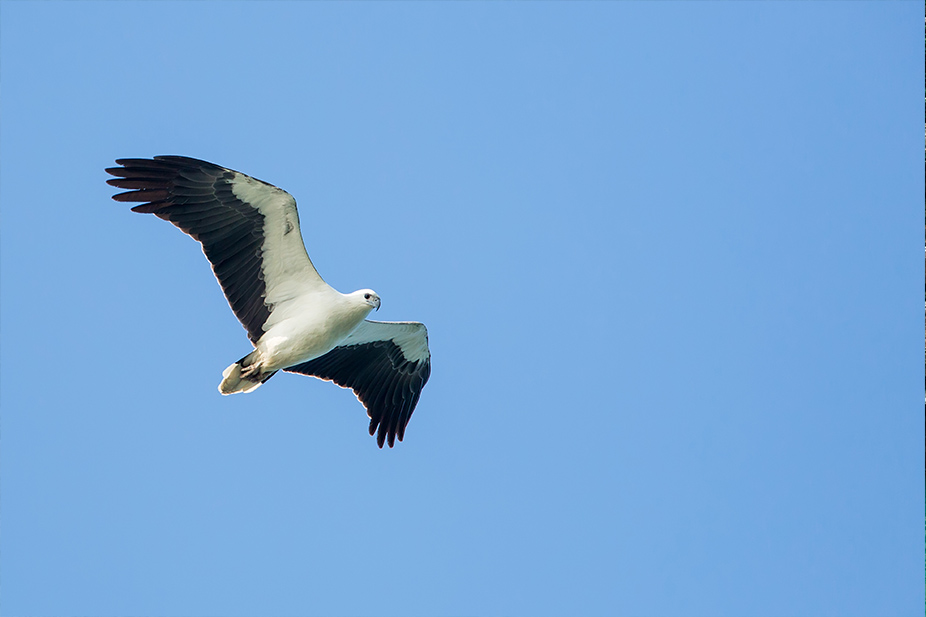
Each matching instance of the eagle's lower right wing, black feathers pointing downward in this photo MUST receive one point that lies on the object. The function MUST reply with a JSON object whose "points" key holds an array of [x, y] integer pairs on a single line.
{"points": [[386, 364]]}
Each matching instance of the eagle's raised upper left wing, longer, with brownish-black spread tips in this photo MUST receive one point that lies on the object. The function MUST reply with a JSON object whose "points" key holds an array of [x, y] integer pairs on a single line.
{"points": [[249, 230]]}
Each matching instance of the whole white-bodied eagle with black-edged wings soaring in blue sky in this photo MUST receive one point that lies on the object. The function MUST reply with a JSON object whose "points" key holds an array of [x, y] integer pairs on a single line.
{"points": [[249, 231]]}
